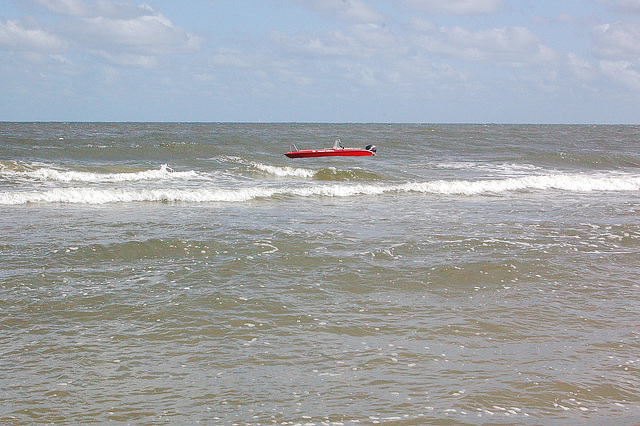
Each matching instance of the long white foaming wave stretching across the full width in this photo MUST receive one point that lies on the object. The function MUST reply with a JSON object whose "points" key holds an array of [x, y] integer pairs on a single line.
{"points": [[569, 183]]}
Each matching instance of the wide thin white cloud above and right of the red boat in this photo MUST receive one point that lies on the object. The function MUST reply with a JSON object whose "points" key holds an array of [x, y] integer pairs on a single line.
{"points": [[511, 45]]}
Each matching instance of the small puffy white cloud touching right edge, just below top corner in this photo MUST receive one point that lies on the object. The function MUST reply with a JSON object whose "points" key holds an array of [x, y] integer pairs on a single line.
{"points": [[617, 41]]}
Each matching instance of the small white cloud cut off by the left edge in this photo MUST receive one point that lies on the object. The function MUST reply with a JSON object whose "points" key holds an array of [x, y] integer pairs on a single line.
{"points": [[14, 36]]}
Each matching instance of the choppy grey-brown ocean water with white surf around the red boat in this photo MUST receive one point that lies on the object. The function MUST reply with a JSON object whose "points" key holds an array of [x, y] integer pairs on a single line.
{"points": [[190, 273]]}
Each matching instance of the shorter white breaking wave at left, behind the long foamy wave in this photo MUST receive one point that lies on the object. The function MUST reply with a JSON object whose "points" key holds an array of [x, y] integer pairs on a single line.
{"points": [[53, 175]]}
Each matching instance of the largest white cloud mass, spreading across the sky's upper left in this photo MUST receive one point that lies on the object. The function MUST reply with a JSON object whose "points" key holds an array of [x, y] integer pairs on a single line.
{"points": [[120, 33]]}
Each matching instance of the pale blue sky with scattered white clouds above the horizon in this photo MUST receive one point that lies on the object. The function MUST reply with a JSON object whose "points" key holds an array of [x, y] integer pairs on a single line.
{"points": [[391, 61]]}
